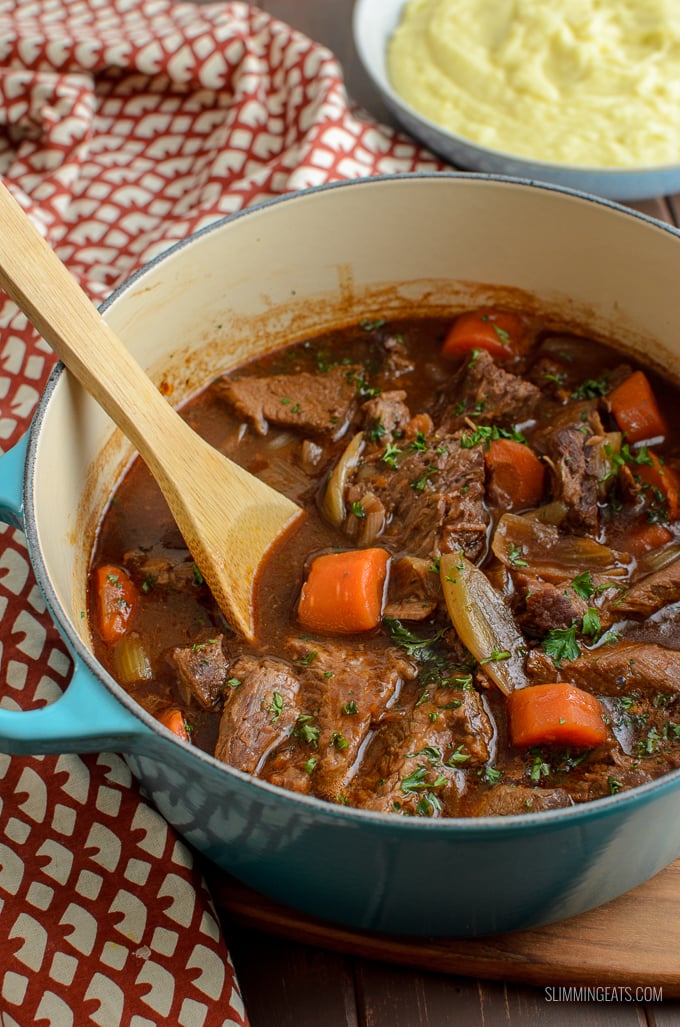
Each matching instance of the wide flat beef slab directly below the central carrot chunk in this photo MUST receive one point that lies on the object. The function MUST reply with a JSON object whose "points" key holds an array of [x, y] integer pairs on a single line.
{"points": [[346, 692]]}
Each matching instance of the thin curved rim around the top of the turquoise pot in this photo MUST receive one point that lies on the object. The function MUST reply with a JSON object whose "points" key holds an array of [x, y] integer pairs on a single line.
{"points": [[484, 826]]}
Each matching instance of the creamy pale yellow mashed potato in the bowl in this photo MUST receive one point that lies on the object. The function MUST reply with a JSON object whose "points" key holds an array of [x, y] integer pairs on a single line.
{"points": [[587, 83]]}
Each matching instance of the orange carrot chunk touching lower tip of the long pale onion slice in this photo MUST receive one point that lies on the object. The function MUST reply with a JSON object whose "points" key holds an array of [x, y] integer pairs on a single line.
{"points": [[556, 714]]}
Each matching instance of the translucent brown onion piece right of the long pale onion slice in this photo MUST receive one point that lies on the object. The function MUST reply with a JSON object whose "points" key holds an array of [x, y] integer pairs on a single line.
{"points": [[542, 550]]}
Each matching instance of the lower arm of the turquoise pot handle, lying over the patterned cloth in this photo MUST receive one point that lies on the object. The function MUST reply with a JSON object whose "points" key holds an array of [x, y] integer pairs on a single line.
{"points": [[86, 719]]}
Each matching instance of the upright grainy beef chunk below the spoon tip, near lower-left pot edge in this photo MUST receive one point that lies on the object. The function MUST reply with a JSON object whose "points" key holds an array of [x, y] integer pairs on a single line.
{"points": [[260, 710]]}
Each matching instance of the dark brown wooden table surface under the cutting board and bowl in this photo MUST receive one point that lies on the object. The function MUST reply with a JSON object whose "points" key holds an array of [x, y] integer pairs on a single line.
{"points": [[286, 982]]}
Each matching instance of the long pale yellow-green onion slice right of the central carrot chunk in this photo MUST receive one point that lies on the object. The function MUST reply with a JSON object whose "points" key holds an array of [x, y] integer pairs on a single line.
{"points": [[483, 622]]}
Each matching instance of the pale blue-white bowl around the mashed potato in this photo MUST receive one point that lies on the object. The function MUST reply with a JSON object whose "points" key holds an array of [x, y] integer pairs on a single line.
{"points": [[374, 23]]}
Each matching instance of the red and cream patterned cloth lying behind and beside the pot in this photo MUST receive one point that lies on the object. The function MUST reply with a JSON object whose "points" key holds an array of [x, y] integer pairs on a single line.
{"points": [[125, 126]]}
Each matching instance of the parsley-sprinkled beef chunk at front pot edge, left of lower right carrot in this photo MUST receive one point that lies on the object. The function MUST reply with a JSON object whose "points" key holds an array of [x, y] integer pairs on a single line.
{"points": [[417, 763]]}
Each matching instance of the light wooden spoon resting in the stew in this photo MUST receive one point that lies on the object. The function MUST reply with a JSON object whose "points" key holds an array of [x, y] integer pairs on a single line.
{"points": [[229, 518]]}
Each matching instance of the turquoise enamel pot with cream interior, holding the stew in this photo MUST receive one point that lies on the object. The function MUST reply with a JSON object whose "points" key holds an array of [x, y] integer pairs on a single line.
{"points": [[284, 271]]}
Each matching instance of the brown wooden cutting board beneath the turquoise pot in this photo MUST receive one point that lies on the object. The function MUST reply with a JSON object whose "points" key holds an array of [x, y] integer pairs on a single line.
{"points": [[631, 942]]}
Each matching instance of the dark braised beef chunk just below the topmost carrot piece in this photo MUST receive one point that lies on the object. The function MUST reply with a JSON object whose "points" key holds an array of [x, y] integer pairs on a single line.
{"points": [[485, 393]]}
